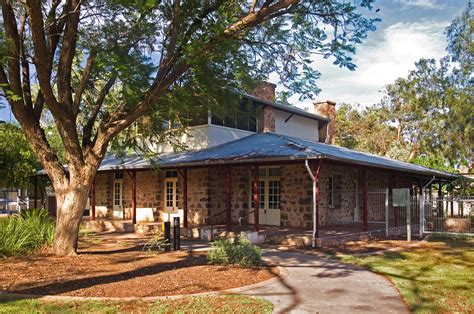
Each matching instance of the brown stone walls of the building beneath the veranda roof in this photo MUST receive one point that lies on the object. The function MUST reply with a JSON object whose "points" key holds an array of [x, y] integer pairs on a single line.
{"points": [[206, 194]]}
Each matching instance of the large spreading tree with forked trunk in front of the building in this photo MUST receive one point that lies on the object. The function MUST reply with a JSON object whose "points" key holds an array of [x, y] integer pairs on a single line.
{"points": [[96, 67]]}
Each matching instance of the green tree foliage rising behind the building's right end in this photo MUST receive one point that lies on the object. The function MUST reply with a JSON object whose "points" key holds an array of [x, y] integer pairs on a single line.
{"points": [[427, 117]]}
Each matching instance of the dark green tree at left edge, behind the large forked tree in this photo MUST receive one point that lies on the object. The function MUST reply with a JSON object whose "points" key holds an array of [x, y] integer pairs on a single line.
{"points": [[17, 161]]}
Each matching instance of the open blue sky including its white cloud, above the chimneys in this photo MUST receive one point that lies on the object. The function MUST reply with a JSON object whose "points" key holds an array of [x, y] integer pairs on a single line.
{"points": [[409, 30]]}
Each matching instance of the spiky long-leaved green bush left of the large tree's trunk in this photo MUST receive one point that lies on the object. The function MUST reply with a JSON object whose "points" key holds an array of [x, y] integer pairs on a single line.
{"points": [[30, 230]]}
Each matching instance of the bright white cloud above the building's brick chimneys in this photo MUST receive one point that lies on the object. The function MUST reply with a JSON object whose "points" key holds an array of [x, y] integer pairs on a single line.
{"points": [[380, 61]]}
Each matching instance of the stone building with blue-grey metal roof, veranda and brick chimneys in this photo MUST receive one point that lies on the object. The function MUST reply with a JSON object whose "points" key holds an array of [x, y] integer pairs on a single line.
{"points": [[276, 166]]}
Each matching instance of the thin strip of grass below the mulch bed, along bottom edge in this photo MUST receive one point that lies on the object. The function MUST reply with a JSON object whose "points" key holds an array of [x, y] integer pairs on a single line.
{"points": [[206, 304]]}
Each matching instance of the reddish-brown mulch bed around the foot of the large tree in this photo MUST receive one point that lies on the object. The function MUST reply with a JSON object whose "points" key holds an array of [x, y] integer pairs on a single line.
{"points": [[111, 267]]}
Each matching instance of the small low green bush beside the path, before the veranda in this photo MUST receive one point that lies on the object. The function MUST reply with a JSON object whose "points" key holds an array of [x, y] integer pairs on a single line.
{"points": [[242, 253]]}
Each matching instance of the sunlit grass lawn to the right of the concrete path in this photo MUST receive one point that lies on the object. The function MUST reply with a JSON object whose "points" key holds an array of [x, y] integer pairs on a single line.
{"points": [[435, 278]]}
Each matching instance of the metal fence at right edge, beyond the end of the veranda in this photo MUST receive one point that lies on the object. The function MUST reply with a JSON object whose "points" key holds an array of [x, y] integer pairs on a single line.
{"points": [[453, 214]]}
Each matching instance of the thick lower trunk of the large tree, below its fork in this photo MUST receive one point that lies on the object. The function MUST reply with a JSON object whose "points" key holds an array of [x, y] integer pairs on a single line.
{"points": [[71, 202]]}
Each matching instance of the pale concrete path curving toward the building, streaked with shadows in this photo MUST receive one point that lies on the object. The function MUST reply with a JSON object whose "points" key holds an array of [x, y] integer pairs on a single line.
{"points": [[319, 285]]}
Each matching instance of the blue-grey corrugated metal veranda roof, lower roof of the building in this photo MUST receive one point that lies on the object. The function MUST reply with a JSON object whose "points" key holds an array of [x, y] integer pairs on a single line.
{"points": [[265, 147]]}
